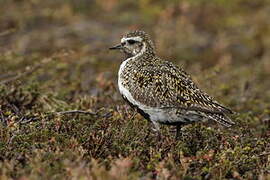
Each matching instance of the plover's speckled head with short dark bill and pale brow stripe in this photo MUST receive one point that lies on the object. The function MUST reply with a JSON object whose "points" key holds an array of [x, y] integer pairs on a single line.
{"points": [[135, 43]]}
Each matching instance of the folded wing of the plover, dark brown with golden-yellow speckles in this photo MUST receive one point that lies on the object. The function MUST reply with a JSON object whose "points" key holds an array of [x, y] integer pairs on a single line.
{"points": [[168, 86]]}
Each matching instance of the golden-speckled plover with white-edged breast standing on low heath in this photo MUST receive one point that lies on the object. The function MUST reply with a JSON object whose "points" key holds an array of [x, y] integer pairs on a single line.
{"points": [[160, 91]]}
